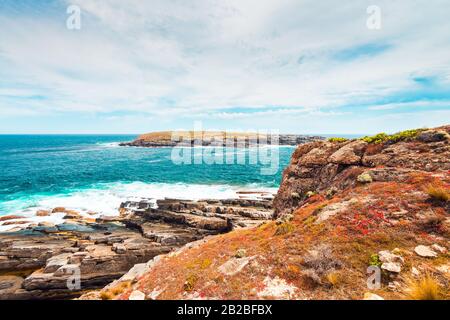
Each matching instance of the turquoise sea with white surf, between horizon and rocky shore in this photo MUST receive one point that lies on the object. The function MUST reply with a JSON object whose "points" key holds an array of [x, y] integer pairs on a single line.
{"points": [[92, 172]]}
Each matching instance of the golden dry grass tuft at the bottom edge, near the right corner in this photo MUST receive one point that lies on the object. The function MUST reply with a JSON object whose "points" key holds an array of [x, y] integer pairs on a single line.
{"points": [[425, 288]]}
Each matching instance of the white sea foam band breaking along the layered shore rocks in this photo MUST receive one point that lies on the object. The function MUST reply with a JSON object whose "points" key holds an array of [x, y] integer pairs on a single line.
{"points": [[105, 199]]}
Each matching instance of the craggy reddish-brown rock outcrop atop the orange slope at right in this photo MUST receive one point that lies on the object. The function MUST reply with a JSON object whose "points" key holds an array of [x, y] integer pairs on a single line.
{"points": [[322, 166]]}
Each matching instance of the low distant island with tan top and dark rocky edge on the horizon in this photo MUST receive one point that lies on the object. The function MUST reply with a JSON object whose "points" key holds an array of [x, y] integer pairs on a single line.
{"points": [[216, 138]]}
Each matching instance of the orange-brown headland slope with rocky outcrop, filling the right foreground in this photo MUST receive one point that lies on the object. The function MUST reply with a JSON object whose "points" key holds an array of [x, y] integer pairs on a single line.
{"points": [[345, 211]]}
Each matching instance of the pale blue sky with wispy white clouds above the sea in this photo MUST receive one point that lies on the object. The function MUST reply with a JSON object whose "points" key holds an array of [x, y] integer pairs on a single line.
{"points": [[294, 66]]}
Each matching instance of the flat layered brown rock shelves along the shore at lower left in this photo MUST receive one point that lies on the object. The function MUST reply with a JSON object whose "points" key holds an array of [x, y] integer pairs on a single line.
{"points": [[42, 261]]}
